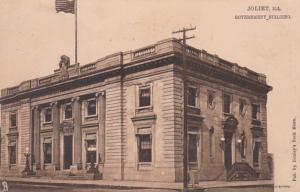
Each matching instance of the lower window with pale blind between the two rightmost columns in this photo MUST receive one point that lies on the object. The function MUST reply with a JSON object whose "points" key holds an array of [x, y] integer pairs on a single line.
{"points": [[91, 149]]}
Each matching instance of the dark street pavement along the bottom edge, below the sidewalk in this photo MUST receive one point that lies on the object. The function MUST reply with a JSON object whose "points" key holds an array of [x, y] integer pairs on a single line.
{"points": [[42, 188]]}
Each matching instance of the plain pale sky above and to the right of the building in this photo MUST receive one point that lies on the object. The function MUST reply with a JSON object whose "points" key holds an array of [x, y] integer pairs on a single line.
{"points": [[33, 37]]}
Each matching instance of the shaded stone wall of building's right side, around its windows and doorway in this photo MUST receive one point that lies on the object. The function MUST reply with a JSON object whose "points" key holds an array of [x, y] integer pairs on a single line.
{"points": [[212, 165]]}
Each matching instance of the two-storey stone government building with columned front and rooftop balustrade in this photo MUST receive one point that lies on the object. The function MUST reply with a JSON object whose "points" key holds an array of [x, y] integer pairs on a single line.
{"points": [[124, 113]]}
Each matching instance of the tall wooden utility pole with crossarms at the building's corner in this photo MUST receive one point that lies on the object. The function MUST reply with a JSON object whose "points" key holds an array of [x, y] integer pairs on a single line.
{"points": [[185, 128]]}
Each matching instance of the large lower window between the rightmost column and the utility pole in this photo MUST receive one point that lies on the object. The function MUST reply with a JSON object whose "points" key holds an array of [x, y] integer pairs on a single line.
{"points": [[145, 147]]}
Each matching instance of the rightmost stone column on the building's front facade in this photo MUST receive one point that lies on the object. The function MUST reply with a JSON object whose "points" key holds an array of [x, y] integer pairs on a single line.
{"points": [[101, 131]]}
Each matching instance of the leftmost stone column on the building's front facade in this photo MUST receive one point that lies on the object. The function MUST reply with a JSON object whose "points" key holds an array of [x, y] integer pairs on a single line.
{"points": [[37, 138]]}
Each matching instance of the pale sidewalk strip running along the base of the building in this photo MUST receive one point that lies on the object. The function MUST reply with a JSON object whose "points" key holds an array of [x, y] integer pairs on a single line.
{"points": [[135, 184]]}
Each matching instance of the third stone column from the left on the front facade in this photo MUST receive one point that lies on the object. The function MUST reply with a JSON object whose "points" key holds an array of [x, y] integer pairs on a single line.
{"points": [[77, 133]]}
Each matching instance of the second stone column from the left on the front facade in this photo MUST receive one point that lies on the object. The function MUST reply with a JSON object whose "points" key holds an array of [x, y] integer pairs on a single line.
{"points": [[56, 135]]}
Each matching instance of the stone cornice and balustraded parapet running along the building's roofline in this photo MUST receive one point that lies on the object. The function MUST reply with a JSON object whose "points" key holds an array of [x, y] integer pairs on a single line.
{"points": [[123, 63]]}
